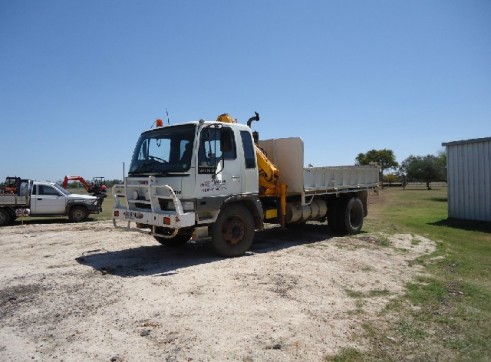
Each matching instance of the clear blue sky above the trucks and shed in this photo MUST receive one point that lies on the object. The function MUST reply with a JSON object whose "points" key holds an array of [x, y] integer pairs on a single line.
{"points": [[80, 80]]}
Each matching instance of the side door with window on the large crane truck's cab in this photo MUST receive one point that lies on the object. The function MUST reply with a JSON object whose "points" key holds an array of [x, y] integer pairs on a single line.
{"points": [[219, 173]]}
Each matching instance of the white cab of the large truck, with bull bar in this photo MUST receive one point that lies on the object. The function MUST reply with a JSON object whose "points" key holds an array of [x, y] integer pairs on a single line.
{"points": [[181, 176]]}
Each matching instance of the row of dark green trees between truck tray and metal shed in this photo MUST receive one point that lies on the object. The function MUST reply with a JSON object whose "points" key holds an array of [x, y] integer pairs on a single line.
{"points": [[428, 169]]}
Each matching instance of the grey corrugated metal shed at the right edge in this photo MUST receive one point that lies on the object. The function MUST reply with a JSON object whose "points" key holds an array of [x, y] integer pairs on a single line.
{"points": [[469, 179]]}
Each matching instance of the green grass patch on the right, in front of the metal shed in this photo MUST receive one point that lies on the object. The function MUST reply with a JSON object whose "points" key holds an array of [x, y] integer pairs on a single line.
{"points": [[445, 315]]}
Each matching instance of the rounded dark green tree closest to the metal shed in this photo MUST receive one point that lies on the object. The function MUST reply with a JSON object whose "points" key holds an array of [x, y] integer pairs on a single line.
{"points": [[427, 168]]}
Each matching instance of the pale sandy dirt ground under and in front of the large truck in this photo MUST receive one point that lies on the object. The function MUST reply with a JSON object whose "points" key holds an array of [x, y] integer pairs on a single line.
{"points": [[91, 292]]}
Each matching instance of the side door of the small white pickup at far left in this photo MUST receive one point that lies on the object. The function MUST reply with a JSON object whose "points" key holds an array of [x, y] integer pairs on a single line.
{"points": [[47, 200]]}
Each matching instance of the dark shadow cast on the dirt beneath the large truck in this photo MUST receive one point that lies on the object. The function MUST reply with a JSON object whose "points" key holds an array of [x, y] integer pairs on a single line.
{"points": [[158, 260]]}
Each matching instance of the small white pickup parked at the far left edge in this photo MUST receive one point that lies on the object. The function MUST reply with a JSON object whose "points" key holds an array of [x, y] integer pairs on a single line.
{"points": [[34, 198]]}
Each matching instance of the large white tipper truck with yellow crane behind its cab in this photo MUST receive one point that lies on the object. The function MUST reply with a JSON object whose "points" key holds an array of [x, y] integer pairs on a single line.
{"points": [[214, 179]]}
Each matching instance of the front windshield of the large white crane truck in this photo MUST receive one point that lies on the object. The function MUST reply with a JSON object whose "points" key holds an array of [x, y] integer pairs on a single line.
{"points": [[163, 150]]}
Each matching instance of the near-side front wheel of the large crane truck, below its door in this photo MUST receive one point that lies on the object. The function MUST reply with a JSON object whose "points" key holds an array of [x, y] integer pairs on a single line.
{"points": [[233, 231]]}
